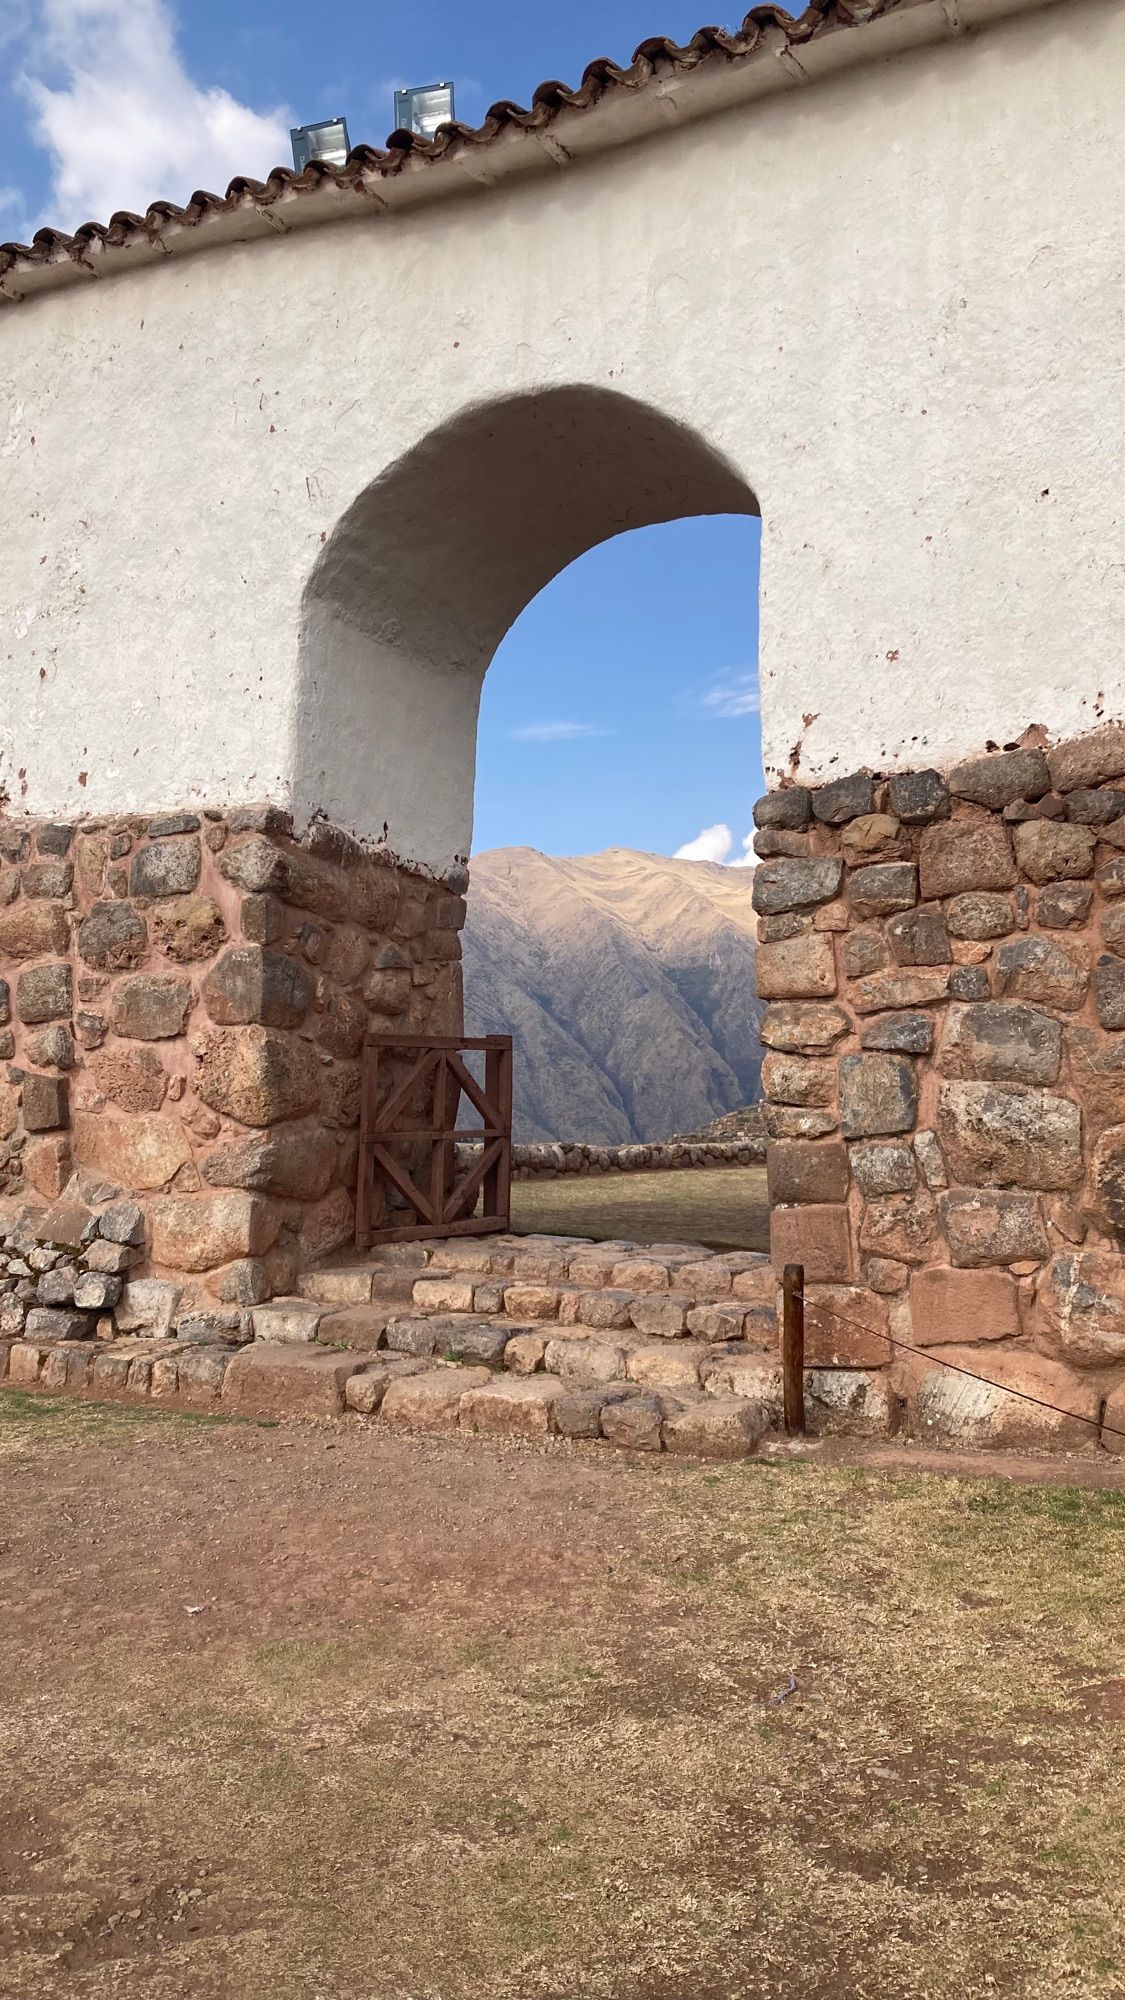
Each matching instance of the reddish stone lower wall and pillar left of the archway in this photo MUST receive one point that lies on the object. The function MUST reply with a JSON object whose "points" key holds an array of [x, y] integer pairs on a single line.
{"points": [[183, 1007]]}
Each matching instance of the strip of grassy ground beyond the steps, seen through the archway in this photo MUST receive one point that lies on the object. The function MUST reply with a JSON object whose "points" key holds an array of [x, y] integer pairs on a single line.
{"points": [[706, 1205]]}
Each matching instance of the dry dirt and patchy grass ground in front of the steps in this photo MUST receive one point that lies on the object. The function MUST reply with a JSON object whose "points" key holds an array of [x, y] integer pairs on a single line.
{"points": [[311, 1711]]}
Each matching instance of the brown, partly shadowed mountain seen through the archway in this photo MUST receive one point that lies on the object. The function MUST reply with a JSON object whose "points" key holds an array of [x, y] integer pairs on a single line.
{"points": [[628, 985]]}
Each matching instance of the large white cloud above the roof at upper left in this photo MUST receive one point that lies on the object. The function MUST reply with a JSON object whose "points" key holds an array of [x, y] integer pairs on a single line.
{"points": [[123, 121]]}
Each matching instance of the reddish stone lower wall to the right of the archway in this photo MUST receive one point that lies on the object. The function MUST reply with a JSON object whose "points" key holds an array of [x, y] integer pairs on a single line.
{"points": [[944, 961]]}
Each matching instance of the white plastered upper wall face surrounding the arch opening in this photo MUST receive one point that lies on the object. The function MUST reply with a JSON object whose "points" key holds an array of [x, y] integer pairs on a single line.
{"points": [[890, 303]]}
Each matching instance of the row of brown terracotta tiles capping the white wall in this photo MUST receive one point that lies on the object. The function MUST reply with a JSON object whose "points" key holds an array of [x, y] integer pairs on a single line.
{"points": [[367, 165]]}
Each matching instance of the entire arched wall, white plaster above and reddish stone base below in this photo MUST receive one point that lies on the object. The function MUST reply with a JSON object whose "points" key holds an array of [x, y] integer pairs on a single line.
{"points": [[279, 473]]}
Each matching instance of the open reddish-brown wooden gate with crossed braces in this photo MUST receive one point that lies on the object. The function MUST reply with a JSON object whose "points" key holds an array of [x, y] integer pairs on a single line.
{"points": [[409, 1137]]}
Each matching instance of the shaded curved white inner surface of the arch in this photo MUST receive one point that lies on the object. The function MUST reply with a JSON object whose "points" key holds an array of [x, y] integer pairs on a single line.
{"points": [[433, 563]]}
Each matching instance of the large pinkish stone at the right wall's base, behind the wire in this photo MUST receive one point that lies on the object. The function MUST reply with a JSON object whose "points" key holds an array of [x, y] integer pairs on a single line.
{"points": [[952, 1409]]}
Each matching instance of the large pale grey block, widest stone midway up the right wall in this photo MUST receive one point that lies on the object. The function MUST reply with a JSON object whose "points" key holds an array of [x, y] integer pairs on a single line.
{"points": [[1010, 1137]]}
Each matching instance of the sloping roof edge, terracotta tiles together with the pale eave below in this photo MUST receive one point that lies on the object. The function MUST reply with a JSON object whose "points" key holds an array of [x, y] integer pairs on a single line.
{"points": [[614, 107]]}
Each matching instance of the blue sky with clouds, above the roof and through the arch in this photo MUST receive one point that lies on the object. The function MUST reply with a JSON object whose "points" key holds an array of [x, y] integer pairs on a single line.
{"points": [[622, 707]]}
